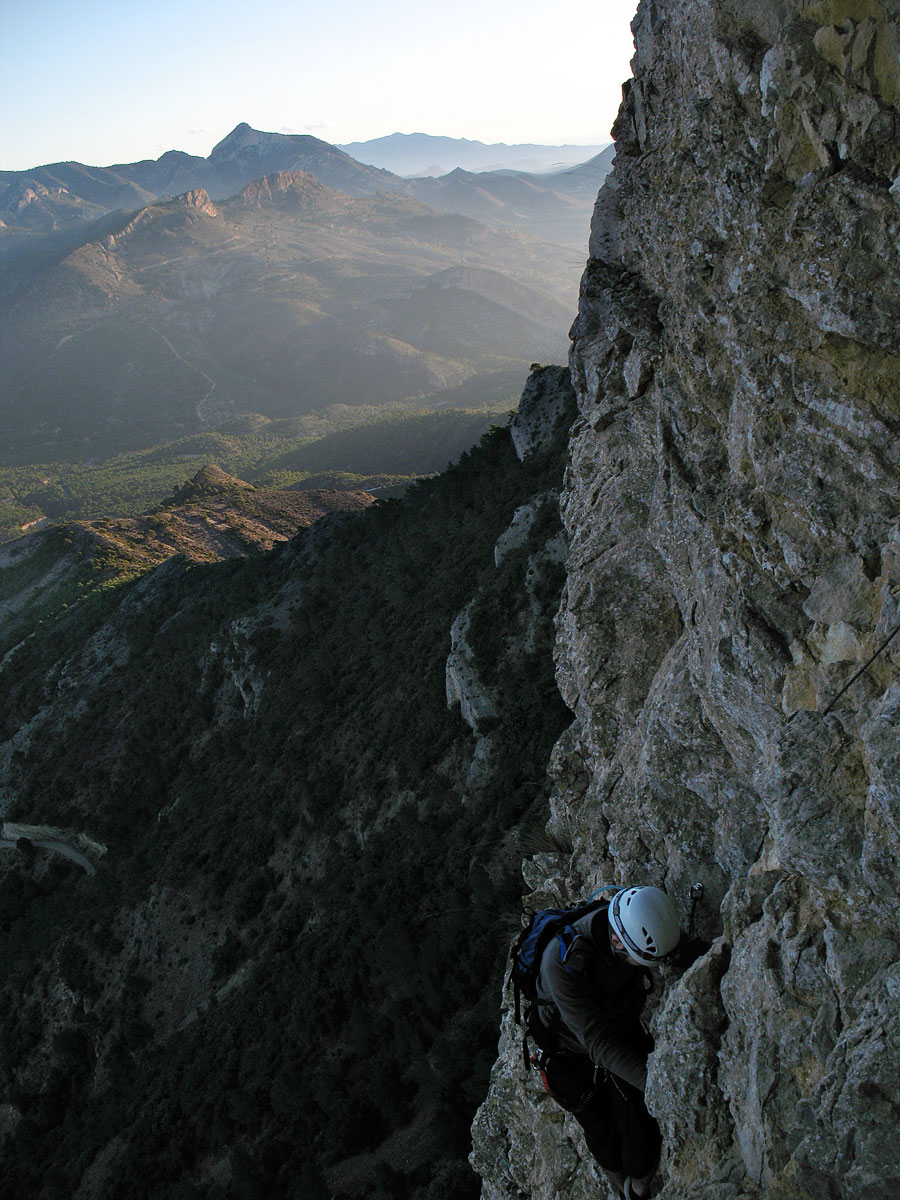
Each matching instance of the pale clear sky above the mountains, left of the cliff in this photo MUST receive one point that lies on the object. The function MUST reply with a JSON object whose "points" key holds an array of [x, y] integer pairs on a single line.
{"points": [[106, 82]]}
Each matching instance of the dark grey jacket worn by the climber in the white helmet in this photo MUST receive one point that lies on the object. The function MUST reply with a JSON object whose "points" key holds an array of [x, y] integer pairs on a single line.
{"points": [[596, 1000]]}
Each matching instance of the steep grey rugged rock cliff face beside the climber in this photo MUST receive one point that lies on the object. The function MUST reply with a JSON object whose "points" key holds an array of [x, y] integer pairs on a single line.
{"points": [[733, 507]]}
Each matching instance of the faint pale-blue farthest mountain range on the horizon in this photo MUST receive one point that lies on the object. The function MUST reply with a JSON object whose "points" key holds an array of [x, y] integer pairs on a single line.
{"points": [[422, 154]]}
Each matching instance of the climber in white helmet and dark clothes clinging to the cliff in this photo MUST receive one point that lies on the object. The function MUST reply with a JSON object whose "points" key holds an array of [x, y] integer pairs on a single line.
{"points": [[591, 994]]}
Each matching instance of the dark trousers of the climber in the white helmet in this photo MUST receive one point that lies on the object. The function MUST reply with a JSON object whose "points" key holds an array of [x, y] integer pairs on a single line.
{"points": [[621, 1133]]}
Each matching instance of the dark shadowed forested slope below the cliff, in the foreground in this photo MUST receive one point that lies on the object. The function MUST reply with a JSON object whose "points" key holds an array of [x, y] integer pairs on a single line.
{"points": [[283, 980]]}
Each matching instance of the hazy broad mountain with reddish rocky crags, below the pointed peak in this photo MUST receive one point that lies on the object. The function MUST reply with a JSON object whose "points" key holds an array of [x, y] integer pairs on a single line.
{"points": [[283, 301]]}
